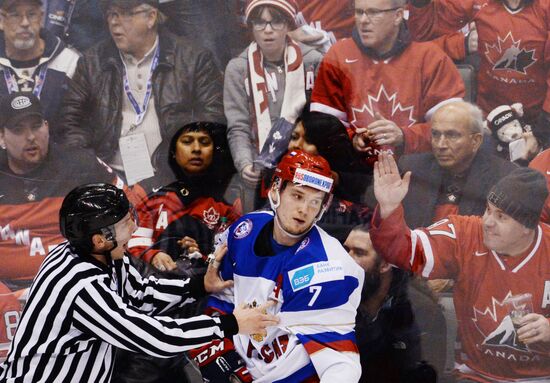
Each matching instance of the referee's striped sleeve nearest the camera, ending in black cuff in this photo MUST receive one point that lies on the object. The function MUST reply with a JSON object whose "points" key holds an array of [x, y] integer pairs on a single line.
{"points": [[100, 312]]}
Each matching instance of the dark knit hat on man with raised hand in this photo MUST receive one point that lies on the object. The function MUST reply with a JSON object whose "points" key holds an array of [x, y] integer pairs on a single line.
{"points": [[521, 195]]}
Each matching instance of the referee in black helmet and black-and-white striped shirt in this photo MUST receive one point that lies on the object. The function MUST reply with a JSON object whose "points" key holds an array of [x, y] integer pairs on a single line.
{"points": [[87, 298]]}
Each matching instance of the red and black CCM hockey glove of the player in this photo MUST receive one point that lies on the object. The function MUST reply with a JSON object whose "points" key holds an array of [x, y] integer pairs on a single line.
{"points": [[220, 363]]}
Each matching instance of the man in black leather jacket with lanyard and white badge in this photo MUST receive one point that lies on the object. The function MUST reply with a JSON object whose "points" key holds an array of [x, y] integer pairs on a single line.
{"points": [[138, 87]]}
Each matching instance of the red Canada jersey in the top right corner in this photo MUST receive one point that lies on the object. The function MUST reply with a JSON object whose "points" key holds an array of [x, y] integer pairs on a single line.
{"points": [[513, 48]]}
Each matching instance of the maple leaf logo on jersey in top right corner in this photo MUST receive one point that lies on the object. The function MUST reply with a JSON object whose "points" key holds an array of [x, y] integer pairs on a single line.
{"points": [[507, 54]]}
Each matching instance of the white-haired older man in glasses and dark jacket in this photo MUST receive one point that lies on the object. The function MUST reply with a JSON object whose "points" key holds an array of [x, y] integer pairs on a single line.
{"points": [[457, 175]]}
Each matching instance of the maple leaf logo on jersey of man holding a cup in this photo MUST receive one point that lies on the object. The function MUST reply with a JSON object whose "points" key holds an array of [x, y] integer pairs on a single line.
{"points": [[496, 326]]}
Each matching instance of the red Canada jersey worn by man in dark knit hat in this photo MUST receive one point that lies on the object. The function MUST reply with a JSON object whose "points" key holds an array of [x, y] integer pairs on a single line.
{"points": [[453, 248]]}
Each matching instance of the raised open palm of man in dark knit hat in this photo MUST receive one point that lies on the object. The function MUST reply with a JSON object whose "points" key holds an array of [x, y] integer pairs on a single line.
{"points": [[389, 187]]}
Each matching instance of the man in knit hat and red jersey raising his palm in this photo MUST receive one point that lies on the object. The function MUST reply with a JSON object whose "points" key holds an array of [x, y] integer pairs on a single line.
{"points": [[504, 253]]}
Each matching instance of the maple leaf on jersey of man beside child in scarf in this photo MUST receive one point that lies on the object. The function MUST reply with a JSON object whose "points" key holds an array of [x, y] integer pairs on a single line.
{"points": [[387, 105]]}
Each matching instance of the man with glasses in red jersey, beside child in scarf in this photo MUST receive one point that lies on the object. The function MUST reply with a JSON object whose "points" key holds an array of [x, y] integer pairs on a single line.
{"points": [[381, 85]]}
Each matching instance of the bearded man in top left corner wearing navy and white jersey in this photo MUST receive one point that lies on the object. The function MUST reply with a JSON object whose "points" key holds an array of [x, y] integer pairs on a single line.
{"points": [[32, 59]]}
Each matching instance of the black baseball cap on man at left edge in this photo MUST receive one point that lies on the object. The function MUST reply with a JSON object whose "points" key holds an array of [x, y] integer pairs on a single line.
{"points": [[16, 106]]}
